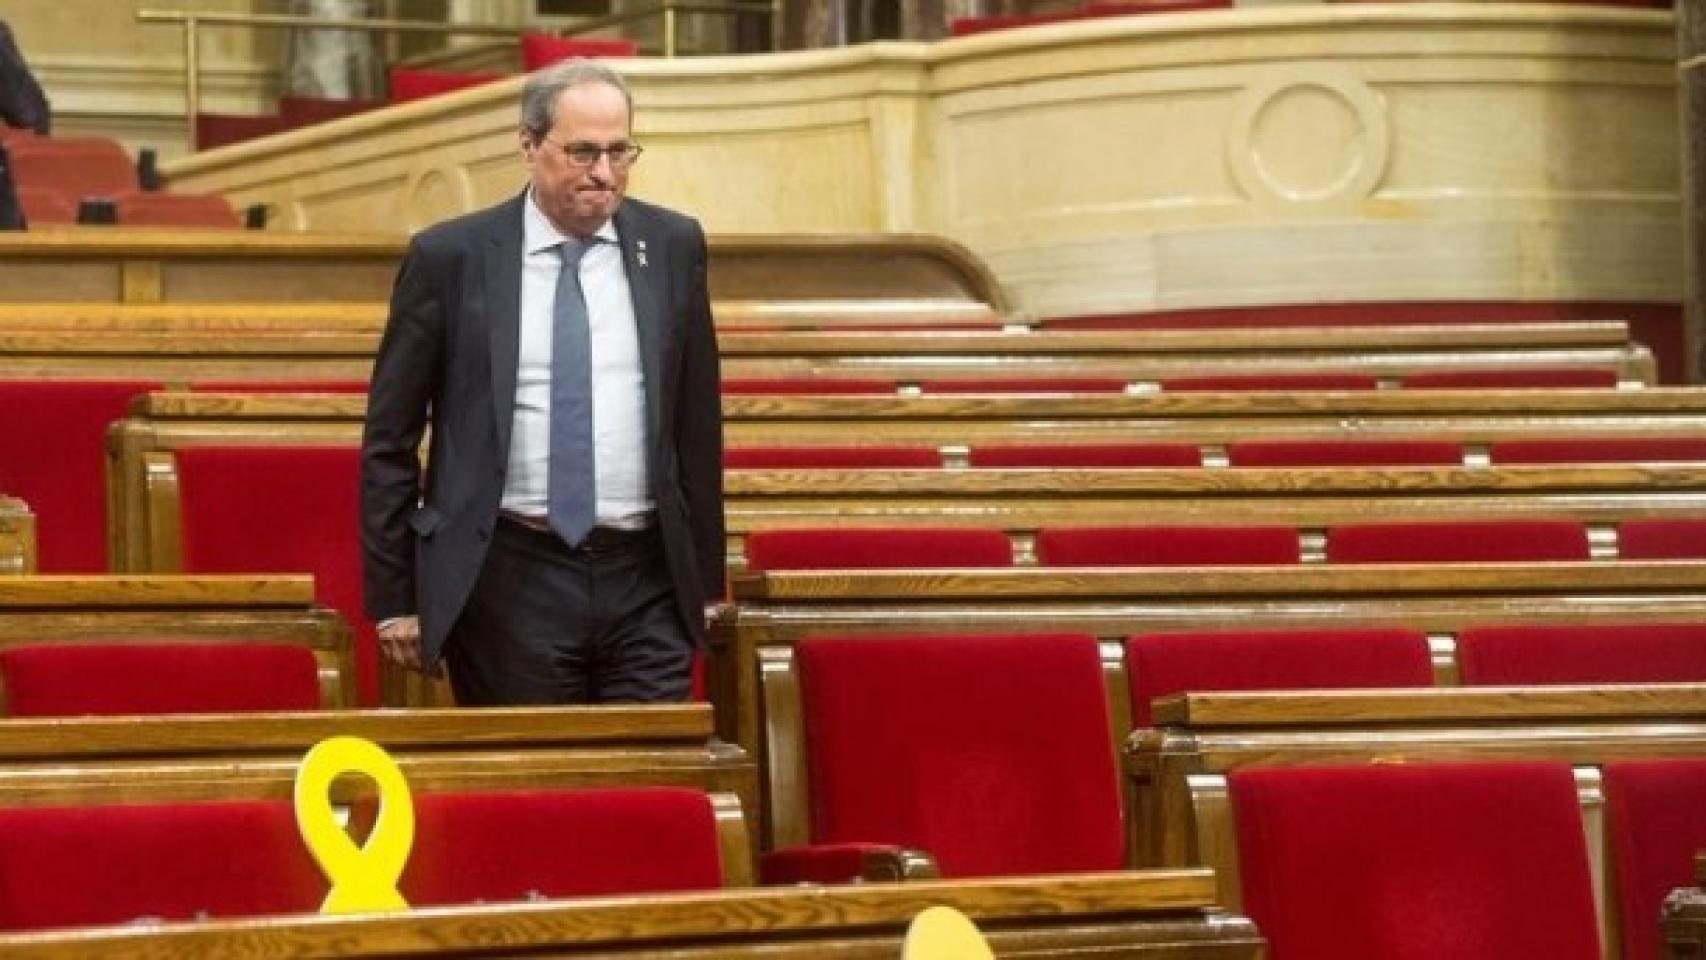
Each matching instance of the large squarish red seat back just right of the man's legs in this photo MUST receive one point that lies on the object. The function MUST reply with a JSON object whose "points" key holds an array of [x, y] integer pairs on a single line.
{"points": [[990, 753]]}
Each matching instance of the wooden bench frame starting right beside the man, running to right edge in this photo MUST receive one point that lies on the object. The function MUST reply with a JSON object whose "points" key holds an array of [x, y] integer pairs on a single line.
{"points": [[755, 688]]}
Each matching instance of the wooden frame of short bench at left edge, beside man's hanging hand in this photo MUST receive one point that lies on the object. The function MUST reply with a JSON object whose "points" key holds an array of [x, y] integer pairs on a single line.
{"points": [[119, 610]]}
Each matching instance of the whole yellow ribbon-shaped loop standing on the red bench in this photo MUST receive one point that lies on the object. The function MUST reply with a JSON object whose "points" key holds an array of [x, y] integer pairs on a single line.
{"points": [[363, 879]]}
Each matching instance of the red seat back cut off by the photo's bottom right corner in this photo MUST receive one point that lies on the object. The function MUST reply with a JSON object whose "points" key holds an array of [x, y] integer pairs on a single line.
{"points": [[1657, 823]]}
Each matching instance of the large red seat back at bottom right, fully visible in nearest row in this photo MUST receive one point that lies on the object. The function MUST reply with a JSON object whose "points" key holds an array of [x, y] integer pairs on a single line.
{"points": [[1417, 862]]}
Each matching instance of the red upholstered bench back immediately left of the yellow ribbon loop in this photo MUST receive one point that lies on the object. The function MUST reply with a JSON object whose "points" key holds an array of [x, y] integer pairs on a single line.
{"points": [[107, 865]]}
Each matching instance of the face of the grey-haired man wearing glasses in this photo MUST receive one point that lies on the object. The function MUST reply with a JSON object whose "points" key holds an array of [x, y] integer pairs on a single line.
{"points": [[579, 200]]}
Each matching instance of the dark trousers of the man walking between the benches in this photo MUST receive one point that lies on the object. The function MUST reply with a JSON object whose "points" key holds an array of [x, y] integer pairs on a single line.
{"points": [[552, 625]]}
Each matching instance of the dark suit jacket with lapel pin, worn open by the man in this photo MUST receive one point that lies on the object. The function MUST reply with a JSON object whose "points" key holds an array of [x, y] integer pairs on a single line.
{"points": [[453, 345]]}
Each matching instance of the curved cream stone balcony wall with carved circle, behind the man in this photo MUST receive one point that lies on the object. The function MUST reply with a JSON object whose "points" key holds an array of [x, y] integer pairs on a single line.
{"points": [[1279, 154]]}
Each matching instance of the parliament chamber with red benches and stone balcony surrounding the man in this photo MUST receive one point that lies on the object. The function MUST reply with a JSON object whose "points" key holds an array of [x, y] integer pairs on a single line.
{"points": [[1204, 480]]}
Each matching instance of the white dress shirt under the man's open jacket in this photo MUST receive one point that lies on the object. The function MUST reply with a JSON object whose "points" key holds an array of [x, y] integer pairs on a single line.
{"points": [[618, 385]]}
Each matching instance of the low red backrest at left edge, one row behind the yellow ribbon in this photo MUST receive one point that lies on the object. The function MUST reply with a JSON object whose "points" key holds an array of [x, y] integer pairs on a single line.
{"points": [[83, 680]]}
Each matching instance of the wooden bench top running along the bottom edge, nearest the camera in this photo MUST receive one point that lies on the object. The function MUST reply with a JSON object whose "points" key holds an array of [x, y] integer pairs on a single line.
{"points": [[1142, 915]]}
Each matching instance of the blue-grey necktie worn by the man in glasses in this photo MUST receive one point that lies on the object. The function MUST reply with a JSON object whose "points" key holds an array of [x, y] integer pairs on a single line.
{"points": [[571, 478]]}
